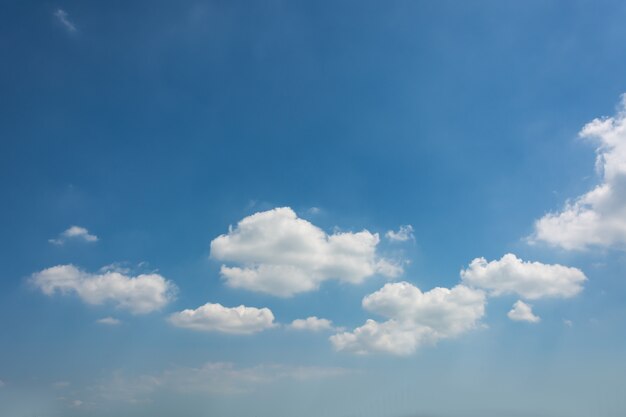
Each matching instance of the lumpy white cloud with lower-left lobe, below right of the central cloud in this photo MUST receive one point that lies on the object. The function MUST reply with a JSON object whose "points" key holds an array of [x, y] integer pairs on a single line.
{"points": [[415, 318]]}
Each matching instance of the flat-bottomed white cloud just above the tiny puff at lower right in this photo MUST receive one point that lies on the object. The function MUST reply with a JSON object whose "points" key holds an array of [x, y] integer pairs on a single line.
{"points": [[530, 280]]}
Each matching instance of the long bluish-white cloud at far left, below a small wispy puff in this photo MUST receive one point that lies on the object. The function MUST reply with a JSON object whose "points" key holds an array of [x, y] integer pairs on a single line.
{"points": [[141, 294]]}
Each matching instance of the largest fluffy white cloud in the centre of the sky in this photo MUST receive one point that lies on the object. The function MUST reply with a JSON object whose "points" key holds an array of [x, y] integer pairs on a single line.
{"points": [[280, 254]]}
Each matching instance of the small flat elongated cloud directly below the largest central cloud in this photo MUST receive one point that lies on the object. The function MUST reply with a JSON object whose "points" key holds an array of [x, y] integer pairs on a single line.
{"points": [[217, 318]]}
